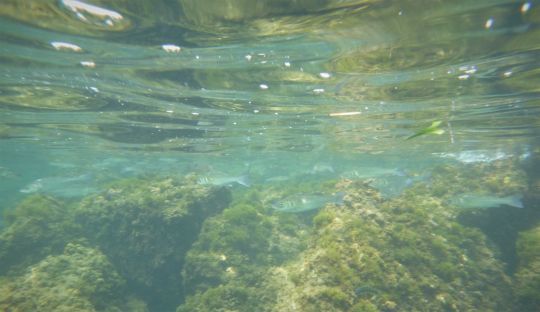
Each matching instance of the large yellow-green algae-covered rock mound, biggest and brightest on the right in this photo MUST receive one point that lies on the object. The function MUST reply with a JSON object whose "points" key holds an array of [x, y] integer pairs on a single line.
{"points": [[407, 254]]}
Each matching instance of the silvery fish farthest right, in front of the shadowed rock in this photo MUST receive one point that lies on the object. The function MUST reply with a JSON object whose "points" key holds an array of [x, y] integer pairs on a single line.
{"points": [[482, 201]]}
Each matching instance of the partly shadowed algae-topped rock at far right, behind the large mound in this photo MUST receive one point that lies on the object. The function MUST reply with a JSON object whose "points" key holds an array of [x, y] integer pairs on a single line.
{"points": [[504, 178]]}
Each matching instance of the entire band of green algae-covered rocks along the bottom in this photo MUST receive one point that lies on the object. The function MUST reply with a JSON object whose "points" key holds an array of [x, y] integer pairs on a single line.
{"points": [[160, 244]]}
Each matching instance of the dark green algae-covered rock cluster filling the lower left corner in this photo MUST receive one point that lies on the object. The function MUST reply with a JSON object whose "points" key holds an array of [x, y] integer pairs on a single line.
{"points": [[139, 229]]}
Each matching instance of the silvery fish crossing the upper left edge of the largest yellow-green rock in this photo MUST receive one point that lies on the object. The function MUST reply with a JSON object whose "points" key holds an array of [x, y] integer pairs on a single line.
{"points": [[306, 202]]}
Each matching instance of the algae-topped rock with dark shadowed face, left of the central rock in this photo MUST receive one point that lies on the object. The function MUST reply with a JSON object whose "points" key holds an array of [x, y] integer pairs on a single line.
{"points": [[145, 227]]}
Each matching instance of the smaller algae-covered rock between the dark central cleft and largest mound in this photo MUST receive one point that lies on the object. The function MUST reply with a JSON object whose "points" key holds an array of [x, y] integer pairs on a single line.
{"points": [[227, 268]]}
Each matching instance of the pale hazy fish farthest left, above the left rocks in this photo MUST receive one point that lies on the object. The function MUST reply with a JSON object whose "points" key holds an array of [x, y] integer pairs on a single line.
{"points": [[76, 186]]}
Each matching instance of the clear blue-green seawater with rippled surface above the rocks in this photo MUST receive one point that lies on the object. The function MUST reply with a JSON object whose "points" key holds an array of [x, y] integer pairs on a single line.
{"points": [[281, 92]]}
